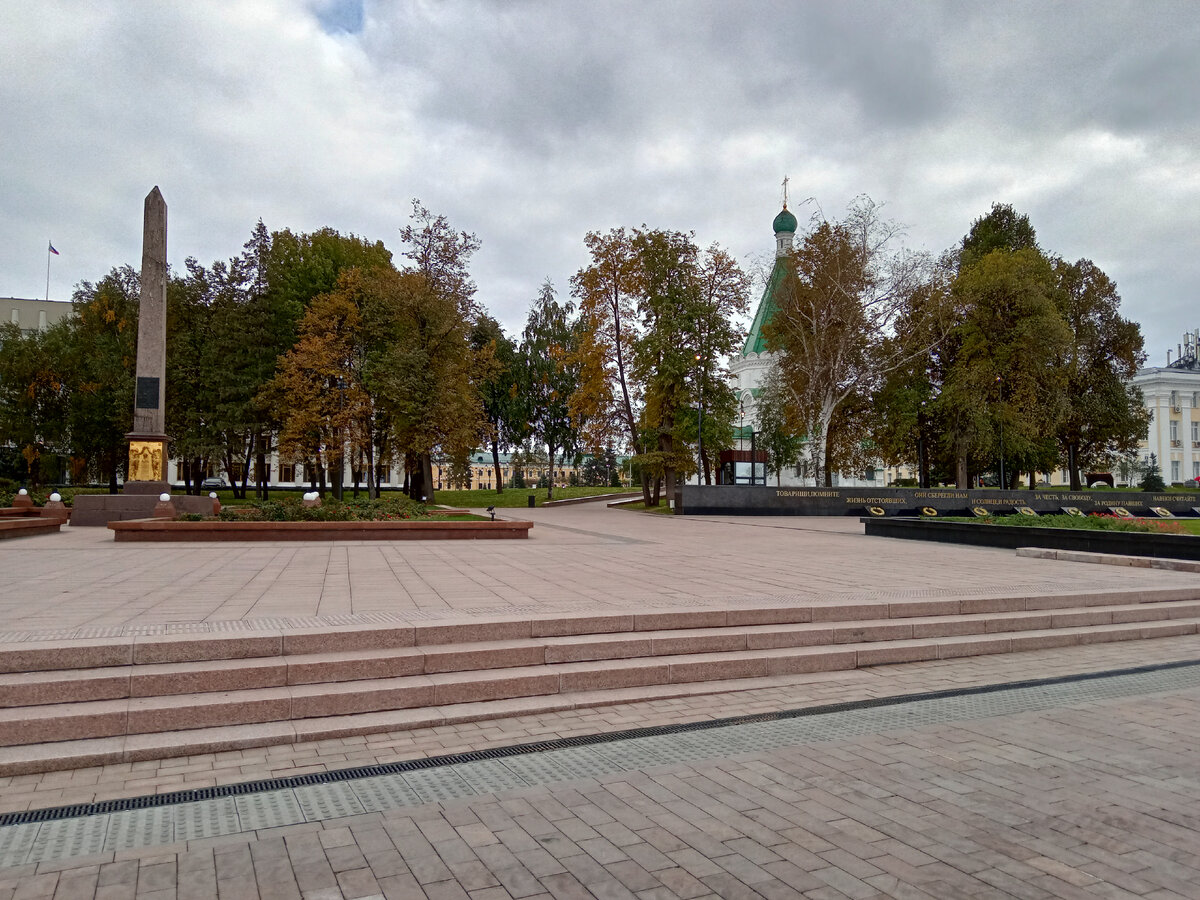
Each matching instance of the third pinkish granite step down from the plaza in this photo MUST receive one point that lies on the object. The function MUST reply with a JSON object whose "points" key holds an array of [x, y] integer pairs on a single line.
{"points": [[143, 716]]}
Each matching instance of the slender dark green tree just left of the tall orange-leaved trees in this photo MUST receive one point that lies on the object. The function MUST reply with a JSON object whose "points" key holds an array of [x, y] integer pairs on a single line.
{"points": [[549, 352]]}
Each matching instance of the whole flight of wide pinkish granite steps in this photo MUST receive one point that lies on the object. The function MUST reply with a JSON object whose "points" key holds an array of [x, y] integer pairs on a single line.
{"points": [[79, 704]]}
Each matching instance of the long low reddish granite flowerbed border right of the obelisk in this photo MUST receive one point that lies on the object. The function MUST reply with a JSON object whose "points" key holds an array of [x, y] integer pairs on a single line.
{"points": [[158, 530]]}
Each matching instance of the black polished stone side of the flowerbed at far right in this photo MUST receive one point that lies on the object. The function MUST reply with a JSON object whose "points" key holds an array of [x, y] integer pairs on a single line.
{"points": [[1161, 547]]}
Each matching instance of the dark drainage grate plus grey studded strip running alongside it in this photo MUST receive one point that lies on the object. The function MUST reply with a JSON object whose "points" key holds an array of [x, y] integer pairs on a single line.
{"points": [[286, 801]]}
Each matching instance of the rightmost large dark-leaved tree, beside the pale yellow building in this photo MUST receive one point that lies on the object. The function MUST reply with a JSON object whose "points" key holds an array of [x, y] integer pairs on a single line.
{"points": [[1105, 416]]}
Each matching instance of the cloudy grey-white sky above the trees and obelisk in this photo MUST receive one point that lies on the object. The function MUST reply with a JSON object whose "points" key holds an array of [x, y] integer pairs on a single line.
{"points": [[531, 123]]}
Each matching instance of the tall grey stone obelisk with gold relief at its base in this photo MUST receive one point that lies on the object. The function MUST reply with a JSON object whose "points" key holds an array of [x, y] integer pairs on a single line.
{"points": [[148, 441]]}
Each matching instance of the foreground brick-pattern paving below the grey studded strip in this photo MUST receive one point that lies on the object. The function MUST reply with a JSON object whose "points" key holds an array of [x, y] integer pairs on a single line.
{"points": [[1096, 800]]}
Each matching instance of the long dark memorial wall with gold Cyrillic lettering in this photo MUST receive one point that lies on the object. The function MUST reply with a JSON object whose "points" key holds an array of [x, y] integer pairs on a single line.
{"points": [[760, 501]]}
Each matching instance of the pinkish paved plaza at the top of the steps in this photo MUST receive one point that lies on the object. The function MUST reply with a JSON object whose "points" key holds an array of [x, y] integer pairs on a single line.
{"points": [[579, 560]]}
